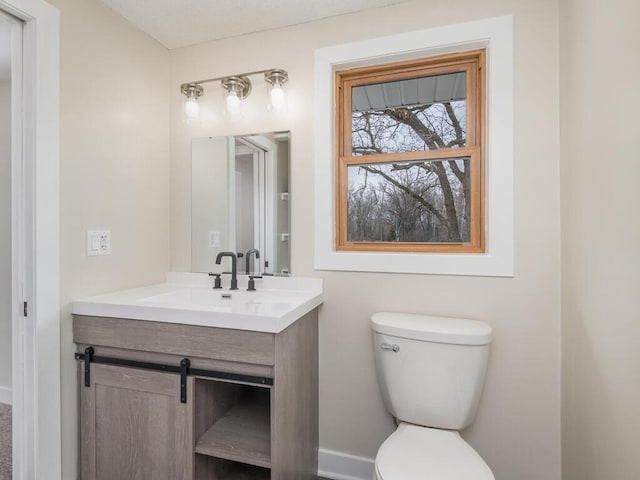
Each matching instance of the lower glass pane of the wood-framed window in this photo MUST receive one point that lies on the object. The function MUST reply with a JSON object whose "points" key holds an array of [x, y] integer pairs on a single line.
{"points": [[419, 201]]}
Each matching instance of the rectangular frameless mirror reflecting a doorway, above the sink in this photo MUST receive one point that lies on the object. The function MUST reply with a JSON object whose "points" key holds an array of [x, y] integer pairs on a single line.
{"points": [[240, 201]]}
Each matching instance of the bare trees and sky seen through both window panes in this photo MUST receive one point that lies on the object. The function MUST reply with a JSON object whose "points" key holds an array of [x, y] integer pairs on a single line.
{"points": [[410, 201]]}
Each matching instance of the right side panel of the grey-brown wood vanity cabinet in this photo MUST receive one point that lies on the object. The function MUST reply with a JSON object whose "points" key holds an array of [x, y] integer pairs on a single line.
{"points": [[294, 400]]}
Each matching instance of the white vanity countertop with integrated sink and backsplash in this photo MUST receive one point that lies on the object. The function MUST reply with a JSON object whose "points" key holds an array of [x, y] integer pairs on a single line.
{"points": [[188, 298]]}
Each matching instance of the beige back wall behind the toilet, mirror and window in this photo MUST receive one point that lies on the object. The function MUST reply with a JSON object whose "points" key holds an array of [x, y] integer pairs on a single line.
{"points": [[518, 427]]}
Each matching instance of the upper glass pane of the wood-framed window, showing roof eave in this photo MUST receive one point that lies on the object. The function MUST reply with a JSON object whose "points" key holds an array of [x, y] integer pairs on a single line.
{"points": [[409, 115]]}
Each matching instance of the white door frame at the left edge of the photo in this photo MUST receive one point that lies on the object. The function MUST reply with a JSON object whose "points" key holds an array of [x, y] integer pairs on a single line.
{"points": [[37, 452]]}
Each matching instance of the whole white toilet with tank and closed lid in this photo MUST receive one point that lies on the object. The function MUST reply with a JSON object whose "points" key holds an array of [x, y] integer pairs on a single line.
{"points": [[431, 371]]}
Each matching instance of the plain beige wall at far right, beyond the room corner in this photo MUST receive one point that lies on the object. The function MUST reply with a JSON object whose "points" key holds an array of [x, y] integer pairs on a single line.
{"points": [[600, 239]]}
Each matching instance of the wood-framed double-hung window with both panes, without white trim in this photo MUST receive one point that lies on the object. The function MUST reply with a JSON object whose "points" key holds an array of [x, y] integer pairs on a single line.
{"points": [[410, 161]]}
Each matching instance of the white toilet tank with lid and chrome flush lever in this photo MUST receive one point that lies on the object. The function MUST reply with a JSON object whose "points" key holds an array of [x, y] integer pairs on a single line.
{"points": [[431, 369]]}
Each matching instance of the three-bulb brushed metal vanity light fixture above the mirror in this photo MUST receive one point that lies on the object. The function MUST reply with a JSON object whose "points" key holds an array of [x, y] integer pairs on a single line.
{"points": [[236, 89]]}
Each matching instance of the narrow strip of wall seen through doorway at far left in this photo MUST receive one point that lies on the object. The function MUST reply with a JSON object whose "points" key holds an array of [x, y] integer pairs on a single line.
{"points": [[5, 234]]}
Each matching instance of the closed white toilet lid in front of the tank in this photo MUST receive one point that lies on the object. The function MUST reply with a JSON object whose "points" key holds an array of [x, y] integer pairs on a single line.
{"points": [[422, 453]]}
